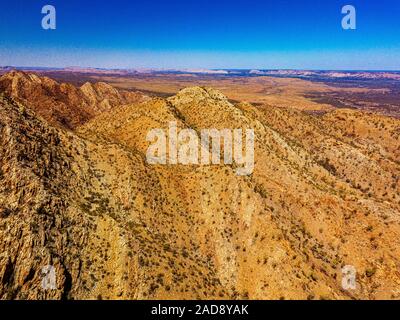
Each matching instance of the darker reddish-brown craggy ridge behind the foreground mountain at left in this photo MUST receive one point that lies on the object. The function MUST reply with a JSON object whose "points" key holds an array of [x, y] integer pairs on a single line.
{"points": [[64, 105]]}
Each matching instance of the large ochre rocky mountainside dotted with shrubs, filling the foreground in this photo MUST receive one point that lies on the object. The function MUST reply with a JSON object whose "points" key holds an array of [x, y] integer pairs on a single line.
{"points": [[324, 194]]}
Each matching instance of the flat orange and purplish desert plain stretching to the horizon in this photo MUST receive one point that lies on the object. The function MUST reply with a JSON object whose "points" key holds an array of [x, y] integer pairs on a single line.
{"points": [[311, 91]]}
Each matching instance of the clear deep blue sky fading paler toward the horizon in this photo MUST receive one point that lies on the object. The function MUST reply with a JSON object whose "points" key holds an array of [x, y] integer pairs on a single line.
{"points": [[304, 34]]}
